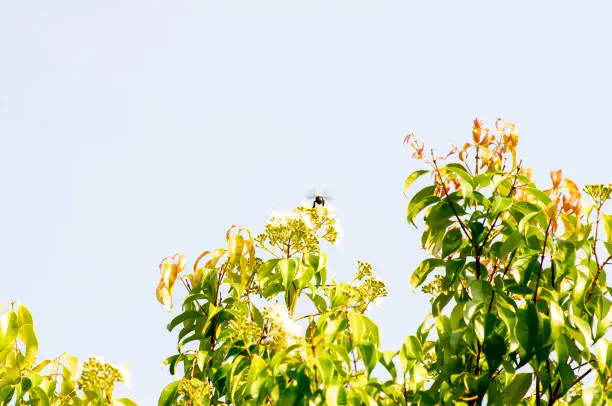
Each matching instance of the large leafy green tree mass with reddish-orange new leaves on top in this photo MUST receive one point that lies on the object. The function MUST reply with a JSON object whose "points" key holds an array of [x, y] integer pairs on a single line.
{"points": [[515, 275]]}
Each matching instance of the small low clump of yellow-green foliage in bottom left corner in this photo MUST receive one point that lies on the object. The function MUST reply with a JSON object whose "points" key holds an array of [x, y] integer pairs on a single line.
{"points": [[24, 381]]}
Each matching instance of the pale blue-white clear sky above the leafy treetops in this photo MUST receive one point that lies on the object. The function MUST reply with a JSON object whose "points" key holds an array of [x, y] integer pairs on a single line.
{"points": [[131, 130]]}
